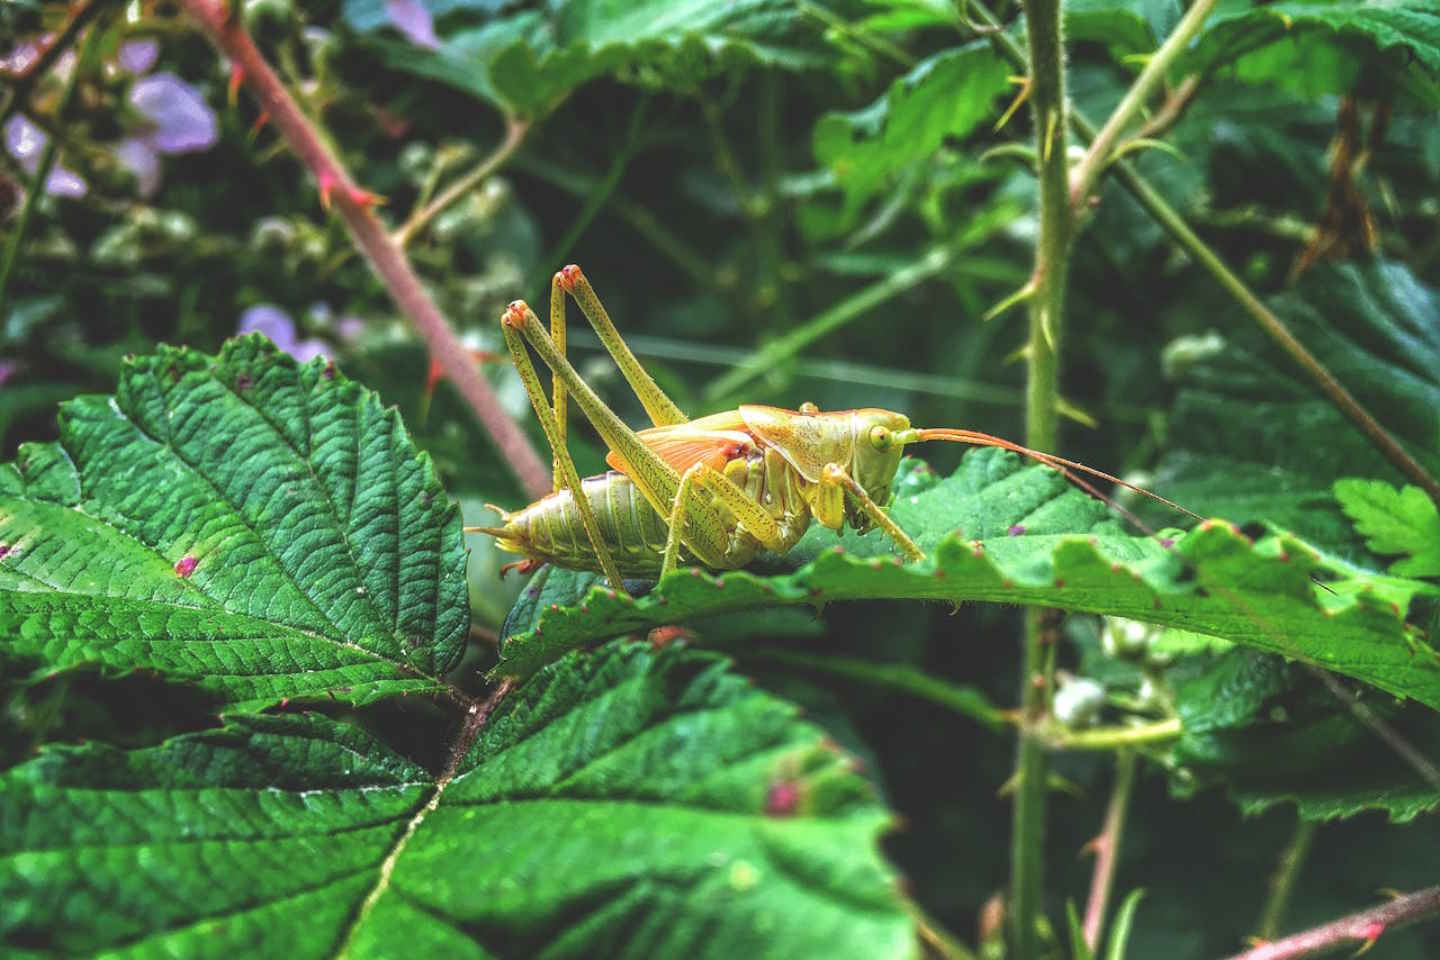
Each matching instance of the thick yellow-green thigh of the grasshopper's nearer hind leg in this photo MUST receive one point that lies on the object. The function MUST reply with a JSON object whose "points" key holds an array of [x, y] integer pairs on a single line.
{"points": [[657, 480]]}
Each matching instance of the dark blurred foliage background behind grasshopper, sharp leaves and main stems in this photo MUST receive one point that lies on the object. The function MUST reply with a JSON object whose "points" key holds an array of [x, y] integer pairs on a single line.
{"points": [[787, 201]]}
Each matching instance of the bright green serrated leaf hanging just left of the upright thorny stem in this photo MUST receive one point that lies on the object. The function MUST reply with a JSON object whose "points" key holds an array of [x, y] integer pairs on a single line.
{"points": [[944, 97]]}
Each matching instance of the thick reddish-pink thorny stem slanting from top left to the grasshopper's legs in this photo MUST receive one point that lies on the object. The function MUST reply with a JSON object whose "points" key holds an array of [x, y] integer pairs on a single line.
{"points": [[369, 234]]}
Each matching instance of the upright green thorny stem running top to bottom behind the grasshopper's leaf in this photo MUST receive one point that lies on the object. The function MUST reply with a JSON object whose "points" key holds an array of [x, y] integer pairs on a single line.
{"points": [[1048, 101]]}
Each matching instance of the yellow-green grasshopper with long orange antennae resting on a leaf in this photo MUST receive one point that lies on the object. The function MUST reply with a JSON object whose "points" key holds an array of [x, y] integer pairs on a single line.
{"points": [[716, 492]]}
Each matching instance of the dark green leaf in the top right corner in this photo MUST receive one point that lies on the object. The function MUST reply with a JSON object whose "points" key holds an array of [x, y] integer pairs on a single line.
{"points": [[1327, 48]]}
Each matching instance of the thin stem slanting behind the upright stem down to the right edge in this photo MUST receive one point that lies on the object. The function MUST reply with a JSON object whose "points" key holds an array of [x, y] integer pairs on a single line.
{"points": [[1173, 224]]}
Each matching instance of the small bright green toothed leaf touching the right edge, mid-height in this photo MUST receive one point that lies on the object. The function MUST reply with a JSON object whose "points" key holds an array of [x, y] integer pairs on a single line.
{"points": [[1395, 522]]}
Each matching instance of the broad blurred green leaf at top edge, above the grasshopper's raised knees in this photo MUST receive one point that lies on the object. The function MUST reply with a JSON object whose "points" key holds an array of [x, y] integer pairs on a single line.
{"points": [[529, 63]]}
